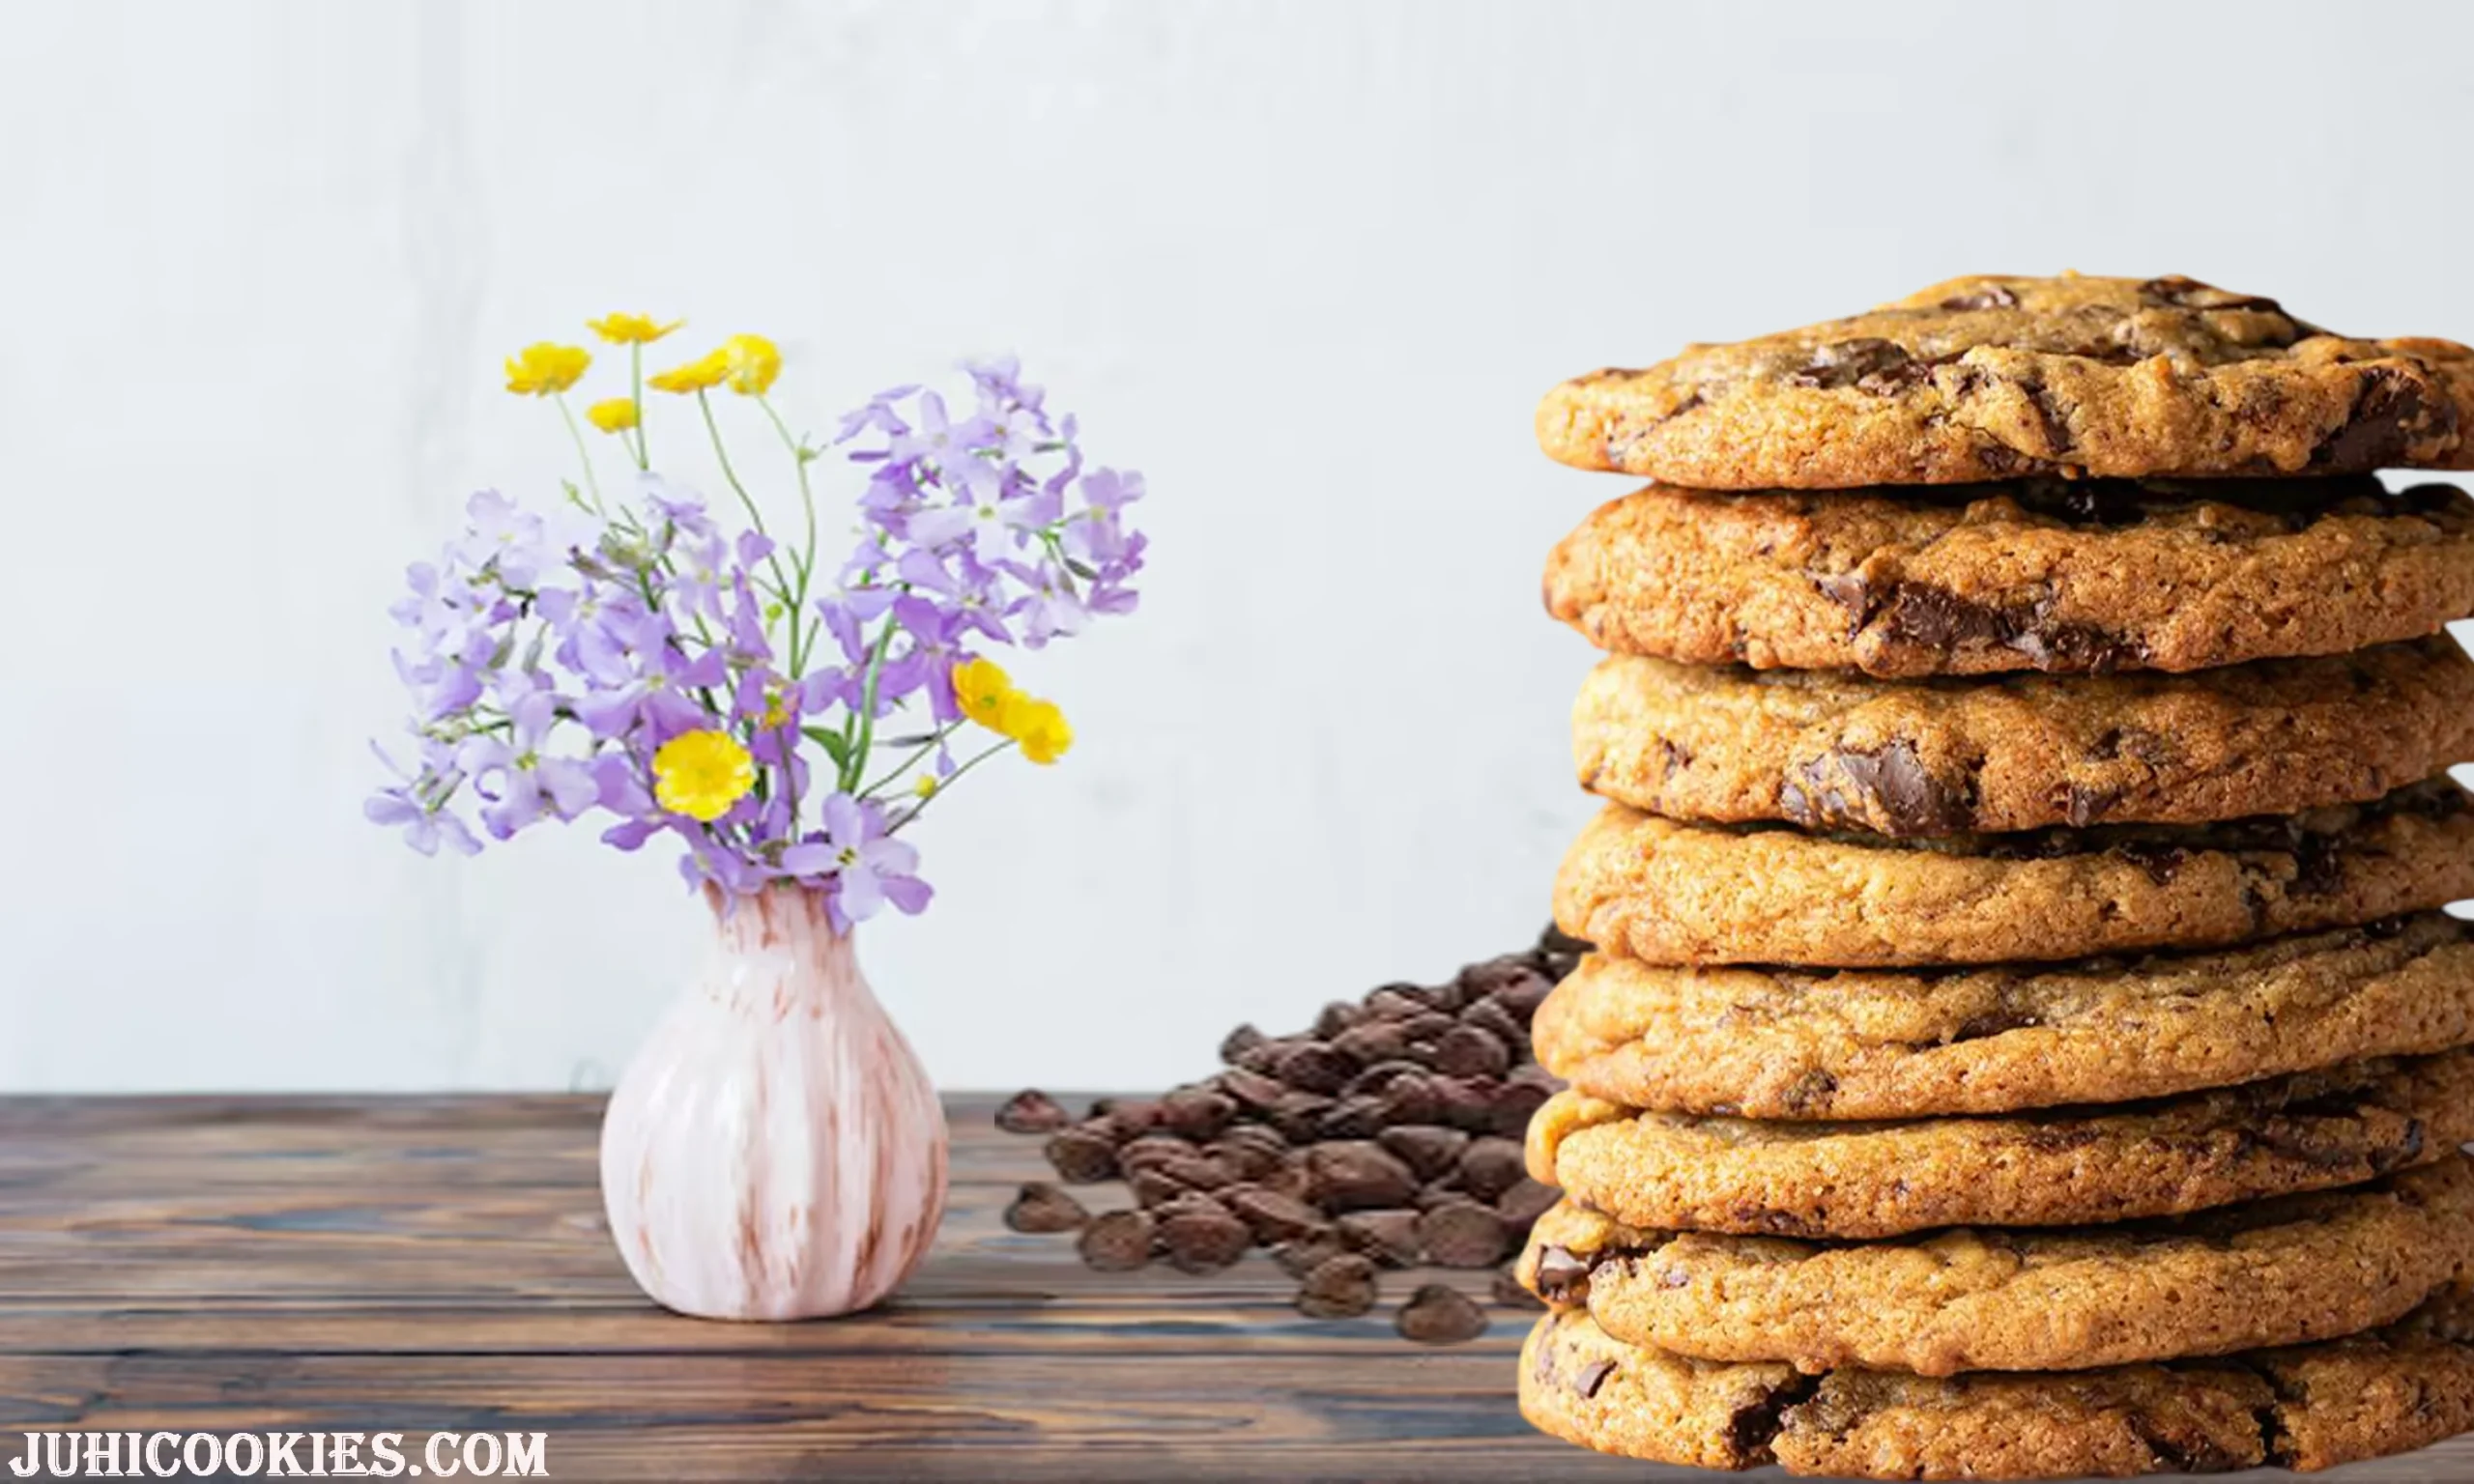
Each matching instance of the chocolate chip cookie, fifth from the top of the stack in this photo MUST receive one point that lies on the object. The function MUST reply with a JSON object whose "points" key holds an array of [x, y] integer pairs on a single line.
{"points": [[1909, 1045]]}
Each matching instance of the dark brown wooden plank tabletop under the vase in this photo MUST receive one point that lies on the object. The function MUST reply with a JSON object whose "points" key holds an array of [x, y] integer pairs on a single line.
{"points": [[224, 1265]]}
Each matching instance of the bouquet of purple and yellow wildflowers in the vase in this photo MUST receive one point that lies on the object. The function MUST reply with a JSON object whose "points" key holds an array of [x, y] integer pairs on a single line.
{"points": [[781, 714]]}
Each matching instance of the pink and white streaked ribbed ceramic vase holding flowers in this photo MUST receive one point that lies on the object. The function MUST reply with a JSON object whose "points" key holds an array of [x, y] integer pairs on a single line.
{"points": [[776, 1149]]}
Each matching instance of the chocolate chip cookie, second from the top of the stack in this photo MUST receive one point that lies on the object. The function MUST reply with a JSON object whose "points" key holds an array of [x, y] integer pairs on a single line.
{"points": [[2018, 578]]}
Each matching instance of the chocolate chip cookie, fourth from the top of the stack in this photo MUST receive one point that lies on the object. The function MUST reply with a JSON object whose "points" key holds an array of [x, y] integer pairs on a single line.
{"points": [[1728, 894]]}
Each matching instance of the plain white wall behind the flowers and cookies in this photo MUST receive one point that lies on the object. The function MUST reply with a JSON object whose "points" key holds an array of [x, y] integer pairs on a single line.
{"points": [[1308, 266]]}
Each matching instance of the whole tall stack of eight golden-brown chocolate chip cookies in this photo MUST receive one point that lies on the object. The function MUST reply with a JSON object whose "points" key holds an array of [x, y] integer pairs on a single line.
{"points": [[2025, 1038]]}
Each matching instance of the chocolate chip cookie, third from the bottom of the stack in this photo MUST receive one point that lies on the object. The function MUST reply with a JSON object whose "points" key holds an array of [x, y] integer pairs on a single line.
{"points": [[2072, 1166]]}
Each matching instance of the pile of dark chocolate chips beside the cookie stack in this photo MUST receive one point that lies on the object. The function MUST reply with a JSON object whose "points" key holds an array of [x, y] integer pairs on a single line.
{"points": [[1389, 1136]]}
